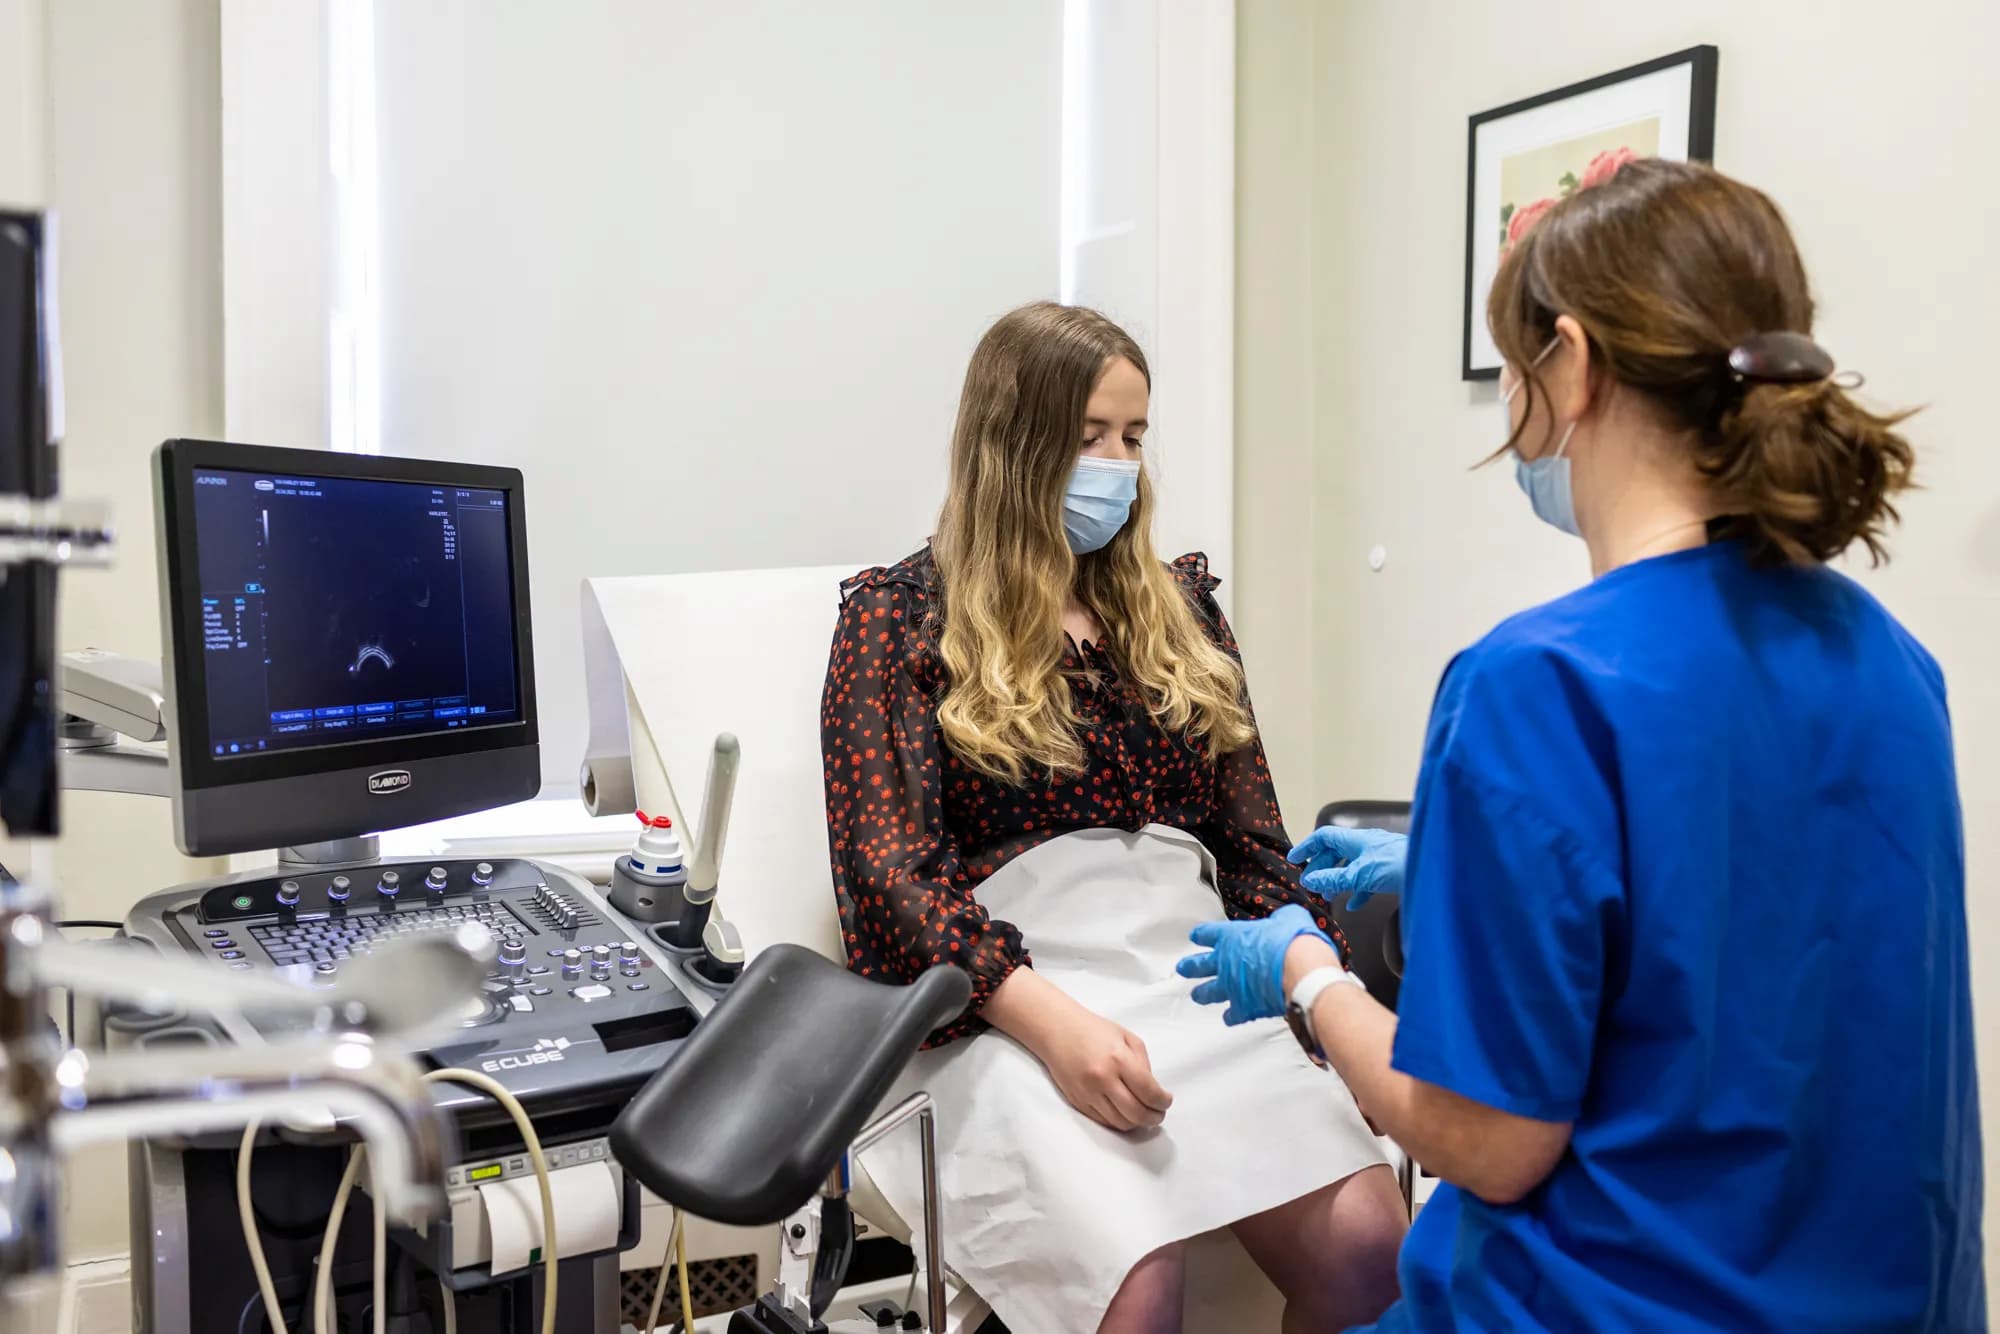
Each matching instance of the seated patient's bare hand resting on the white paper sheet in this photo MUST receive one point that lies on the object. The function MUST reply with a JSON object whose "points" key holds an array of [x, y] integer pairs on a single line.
{"points": [[1101, 1067]]}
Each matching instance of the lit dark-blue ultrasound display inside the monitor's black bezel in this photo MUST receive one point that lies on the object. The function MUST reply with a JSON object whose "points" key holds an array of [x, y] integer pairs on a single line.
{"points": [[341, 611]]}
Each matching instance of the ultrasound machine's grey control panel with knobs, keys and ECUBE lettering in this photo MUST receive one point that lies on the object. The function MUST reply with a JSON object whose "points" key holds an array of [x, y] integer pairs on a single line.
{"points": [[579, 1001]]}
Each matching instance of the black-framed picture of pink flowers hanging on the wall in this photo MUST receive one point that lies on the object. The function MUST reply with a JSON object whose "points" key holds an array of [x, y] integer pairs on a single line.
{"points": [[1525, 157]]}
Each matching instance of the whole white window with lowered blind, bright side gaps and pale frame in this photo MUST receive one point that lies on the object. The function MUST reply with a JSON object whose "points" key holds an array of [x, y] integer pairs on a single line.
{"points": [[709, 273]]}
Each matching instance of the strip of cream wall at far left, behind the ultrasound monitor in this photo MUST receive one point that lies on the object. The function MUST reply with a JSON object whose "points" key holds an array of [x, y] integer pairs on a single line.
{"points": [[109, 113]]}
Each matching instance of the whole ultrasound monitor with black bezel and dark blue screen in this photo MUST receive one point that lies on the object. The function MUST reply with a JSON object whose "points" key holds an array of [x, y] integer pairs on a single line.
{"points": [[349, 643]]}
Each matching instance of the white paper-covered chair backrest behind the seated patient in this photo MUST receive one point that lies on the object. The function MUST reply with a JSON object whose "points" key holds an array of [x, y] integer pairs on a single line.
{"points": [[745, 653]]}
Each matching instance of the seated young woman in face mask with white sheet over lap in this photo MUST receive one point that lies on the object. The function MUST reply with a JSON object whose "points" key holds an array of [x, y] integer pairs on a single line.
{"points": [[1041, 767]]}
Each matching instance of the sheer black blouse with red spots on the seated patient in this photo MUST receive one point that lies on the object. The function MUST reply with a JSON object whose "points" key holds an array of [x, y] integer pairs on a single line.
{"points": [[915, 831]]}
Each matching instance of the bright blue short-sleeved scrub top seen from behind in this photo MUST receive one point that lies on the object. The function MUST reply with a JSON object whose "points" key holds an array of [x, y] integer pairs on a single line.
{"points": [[1687, 871]]}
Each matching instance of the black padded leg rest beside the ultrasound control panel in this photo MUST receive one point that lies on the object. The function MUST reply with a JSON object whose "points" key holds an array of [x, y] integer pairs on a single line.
{"points": [[755, 1111]]}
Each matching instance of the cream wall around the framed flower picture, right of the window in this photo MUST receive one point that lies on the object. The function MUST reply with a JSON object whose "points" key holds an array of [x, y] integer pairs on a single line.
{"points": [[1867, 125]]}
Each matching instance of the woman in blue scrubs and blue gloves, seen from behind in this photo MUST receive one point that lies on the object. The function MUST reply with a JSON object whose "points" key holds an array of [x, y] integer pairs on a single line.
{"points": [[1687, 1023]]}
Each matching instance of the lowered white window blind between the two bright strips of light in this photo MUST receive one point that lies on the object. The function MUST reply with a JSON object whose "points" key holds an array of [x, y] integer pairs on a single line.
{"points": [[705, 273]]}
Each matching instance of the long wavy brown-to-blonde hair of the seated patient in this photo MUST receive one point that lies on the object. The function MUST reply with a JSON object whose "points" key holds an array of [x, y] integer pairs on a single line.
{"points": [[1009, 571]]}
